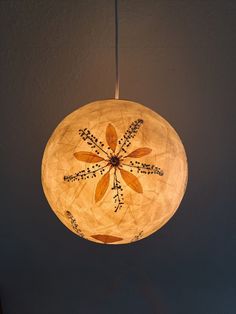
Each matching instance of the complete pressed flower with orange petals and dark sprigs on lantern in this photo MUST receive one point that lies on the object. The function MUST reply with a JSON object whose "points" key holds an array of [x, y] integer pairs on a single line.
{"points": [[113, 159]]}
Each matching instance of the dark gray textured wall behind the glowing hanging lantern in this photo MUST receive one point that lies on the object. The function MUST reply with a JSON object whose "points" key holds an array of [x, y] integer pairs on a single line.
{"points": [[177, 57]]}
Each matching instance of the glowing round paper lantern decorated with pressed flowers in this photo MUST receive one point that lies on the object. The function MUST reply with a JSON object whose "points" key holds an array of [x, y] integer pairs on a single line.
{"points": [[114, 171]]}
